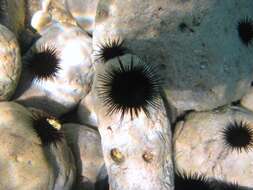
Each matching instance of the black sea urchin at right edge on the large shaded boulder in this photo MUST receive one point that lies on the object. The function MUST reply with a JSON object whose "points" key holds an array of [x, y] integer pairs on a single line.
{"points": [[245, 30]]}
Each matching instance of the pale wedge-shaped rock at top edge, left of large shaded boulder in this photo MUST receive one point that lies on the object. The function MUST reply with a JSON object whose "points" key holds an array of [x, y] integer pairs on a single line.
{"points": [[84, 11]]}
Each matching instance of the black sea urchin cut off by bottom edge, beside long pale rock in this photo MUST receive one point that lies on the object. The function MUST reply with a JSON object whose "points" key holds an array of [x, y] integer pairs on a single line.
{"points": [[185, 181]]}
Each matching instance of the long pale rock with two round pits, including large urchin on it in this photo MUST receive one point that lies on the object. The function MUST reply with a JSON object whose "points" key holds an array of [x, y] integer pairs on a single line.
{"points": [[136, 141]]}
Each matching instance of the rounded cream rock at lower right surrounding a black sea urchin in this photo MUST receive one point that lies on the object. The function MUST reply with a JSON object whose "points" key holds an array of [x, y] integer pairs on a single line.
{"points": [[200, 146]]}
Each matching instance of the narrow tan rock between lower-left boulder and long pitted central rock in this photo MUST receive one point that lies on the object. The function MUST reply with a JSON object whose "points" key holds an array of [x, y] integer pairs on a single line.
{"points": [[86, 146]]}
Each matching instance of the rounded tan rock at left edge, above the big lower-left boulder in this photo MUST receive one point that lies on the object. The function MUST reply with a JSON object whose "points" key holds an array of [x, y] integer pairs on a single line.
{"points": [[10, 63]]}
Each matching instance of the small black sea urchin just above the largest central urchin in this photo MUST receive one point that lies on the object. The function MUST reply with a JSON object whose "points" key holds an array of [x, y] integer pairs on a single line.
{"points": [[111, 49]]}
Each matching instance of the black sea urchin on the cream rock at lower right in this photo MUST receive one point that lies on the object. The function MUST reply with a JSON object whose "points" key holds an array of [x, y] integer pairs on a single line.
{"points": [[238, 136]]}
